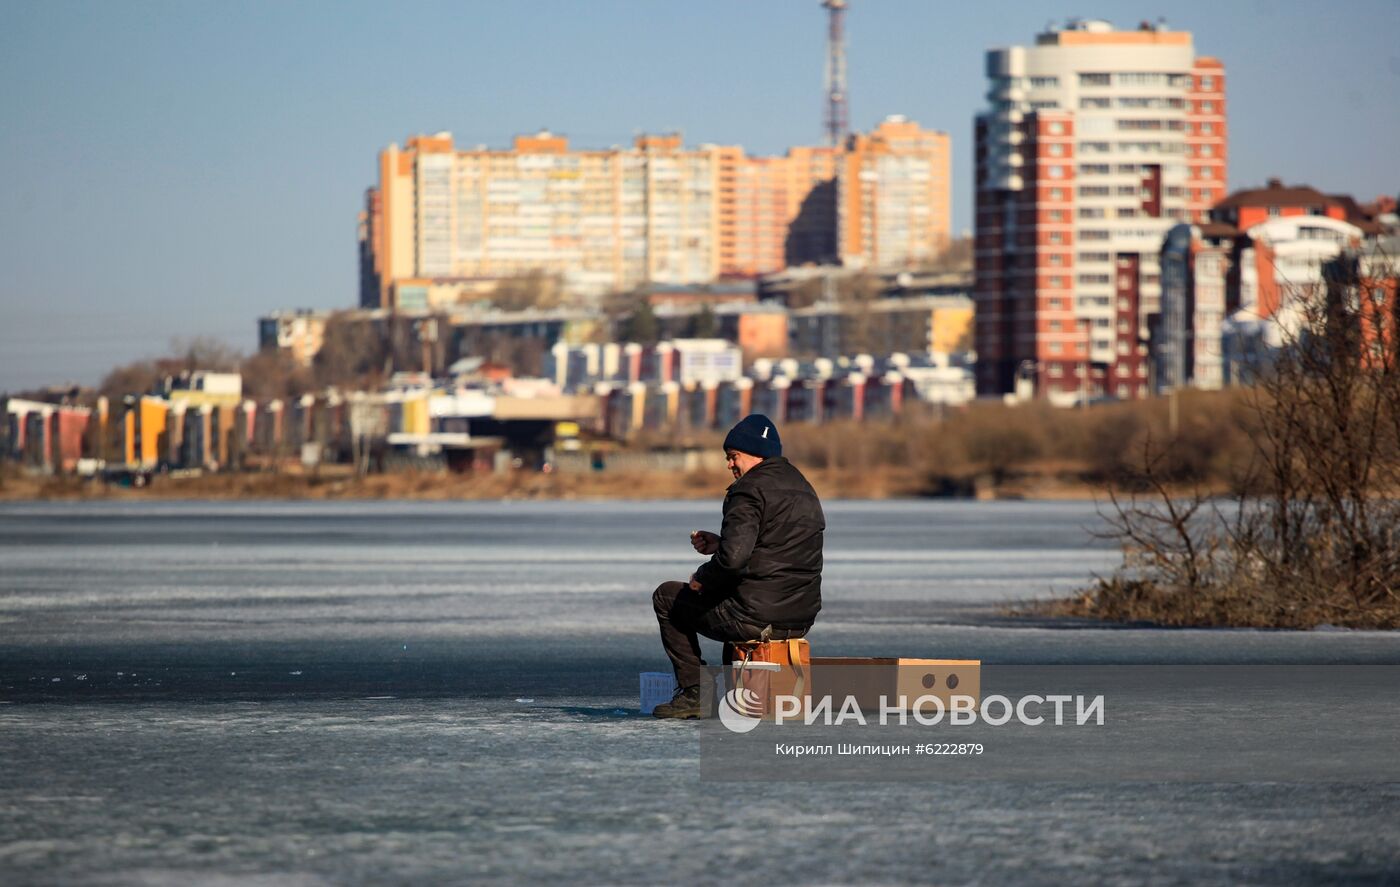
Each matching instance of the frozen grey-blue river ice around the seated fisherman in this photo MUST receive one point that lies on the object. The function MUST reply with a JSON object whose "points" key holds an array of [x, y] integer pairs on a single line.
{"points": [[428, 693]]}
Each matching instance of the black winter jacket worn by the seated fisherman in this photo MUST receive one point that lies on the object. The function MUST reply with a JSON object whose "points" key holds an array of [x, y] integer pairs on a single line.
{"points": [[771, 548]]}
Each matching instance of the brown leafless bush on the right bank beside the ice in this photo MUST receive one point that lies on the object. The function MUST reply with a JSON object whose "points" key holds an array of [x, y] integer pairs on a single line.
{"points": [[1312, 532]]}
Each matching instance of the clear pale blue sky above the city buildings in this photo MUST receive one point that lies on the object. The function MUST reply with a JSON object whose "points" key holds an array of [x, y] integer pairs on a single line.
{"points": [[176, 170]]}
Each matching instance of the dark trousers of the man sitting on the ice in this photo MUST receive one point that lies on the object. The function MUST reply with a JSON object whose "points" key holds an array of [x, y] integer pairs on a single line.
{"points": [[685, 615]]}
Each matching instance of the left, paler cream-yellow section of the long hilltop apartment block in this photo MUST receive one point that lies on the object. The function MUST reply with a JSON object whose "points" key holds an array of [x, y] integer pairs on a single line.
{"points": [[591, 218]]}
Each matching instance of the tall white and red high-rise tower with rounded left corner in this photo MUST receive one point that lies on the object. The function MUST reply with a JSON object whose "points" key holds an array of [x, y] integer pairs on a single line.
{"points": [[1095, 145]]}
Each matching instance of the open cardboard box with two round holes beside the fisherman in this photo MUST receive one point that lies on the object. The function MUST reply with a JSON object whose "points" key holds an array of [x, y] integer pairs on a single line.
{"points": [[867, 681]]}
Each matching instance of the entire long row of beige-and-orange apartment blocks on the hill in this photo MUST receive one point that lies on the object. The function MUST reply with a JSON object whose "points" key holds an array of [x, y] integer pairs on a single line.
{"points": [[442, 220]]}
